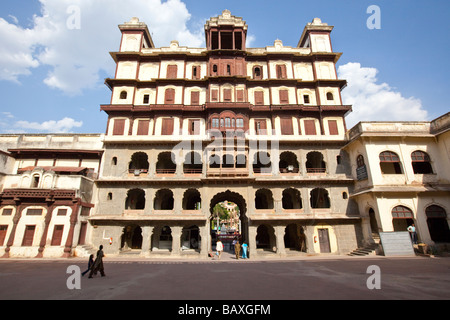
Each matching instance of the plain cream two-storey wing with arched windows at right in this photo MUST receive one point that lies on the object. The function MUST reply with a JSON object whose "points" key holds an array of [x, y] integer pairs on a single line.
{"points": [[401, 175]]}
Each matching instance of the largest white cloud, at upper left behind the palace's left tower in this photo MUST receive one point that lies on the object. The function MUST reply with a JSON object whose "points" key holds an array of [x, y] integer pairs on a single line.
{"points": [[78, 56]]}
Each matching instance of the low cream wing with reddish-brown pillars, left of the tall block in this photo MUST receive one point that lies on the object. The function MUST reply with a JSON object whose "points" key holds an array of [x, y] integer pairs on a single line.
{"points": [[46, 192]]}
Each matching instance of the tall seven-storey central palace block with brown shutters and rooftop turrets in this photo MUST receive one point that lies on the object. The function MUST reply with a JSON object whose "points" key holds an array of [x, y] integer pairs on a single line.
{"points": [[191, 127]]}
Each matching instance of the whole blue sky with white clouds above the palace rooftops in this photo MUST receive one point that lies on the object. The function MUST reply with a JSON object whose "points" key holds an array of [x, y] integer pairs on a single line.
{"points": [[54, 54]]}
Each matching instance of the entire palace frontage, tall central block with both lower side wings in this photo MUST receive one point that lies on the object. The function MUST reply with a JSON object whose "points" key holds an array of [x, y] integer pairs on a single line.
{"points": [[188, 128]]}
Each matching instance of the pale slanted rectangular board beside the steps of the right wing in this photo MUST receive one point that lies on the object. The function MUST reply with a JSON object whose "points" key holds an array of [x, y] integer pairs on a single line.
{"points": [[397, 243]]}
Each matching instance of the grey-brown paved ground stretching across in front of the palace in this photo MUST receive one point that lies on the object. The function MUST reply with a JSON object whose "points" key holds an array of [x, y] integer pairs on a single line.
{"points": [[228, 279]]}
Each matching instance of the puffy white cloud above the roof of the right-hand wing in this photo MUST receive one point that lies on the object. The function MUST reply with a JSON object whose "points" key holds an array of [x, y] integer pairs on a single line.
{"points": [[372, 101]]}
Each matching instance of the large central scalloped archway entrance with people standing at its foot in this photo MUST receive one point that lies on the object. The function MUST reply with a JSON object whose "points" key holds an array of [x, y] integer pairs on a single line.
{"points": [[228, 219]]}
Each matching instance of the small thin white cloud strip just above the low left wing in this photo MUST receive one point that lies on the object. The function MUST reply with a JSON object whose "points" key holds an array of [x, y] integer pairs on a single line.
{"points": [[61, 126]]}
